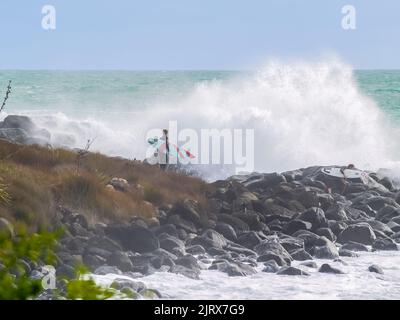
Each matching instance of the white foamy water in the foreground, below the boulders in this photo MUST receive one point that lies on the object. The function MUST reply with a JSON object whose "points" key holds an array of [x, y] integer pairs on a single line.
{"points": [[357, 283]]}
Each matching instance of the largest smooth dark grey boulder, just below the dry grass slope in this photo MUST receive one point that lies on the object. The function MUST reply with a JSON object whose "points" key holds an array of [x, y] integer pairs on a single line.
{"points": [[133, 237]]}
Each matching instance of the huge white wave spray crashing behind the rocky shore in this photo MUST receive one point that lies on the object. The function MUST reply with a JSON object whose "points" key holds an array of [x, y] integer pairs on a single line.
{"points": [[303, 114]]}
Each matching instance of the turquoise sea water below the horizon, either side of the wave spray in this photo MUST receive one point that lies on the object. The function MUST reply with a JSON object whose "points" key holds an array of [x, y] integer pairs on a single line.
{"points": [[101, 91]]}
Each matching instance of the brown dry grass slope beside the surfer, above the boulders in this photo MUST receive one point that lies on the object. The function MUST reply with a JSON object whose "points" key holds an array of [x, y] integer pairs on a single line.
{"points": [[38, 179]]}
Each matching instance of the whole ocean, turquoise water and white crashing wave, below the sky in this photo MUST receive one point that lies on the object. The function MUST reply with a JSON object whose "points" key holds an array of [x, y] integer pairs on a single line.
{"points": [[302, 114]]}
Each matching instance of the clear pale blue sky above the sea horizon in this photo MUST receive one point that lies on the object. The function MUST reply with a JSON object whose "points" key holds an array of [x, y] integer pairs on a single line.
{"points": [[195, 34]]}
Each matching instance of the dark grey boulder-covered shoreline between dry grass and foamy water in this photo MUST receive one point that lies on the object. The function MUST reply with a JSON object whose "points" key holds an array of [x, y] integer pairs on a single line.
{"points": [[269, 219]]}
